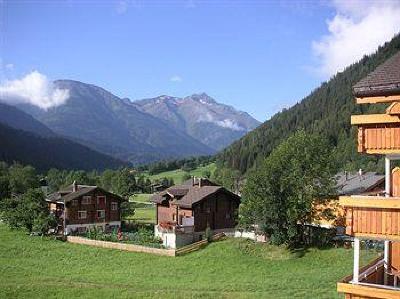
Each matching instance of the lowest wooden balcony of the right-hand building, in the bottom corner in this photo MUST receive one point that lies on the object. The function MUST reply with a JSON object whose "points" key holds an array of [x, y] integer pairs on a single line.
{"points": [[370, 284]]}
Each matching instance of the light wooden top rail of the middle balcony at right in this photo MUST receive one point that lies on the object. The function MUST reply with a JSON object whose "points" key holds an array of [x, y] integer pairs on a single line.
{"points": [[379, 202]]}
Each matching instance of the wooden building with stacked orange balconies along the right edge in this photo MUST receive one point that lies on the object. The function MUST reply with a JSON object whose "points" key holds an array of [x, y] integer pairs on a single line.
{"points": [[377, 216]]}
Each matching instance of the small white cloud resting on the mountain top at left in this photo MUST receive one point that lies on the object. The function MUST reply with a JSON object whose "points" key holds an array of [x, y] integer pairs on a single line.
{"points": [[33, 89]]}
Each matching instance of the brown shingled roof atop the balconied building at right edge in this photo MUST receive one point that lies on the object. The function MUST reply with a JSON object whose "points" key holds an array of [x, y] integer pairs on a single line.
{"points": [[383, 81]]}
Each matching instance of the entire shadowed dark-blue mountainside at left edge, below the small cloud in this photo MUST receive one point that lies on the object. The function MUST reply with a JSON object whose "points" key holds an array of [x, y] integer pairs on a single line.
{"points": [[28, 141]]}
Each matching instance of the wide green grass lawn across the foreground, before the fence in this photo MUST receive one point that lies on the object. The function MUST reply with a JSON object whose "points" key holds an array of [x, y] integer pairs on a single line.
{"points": [[32, 267]]}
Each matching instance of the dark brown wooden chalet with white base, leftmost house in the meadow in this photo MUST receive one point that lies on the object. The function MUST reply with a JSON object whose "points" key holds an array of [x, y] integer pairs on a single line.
{"points": [[79, 207]]}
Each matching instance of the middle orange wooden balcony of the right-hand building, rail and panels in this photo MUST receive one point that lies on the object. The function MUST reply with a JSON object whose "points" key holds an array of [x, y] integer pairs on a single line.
{"points": [[372, 216]]}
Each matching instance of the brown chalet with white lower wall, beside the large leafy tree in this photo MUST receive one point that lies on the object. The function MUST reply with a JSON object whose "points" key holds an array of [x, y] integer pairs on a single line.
{"points": [[186, 211]]}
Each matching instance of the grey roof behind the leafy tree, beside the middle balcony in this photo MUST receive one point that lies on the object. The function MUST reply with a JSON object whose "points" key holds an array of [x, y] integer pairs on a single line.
{"points": [[356, 184]]}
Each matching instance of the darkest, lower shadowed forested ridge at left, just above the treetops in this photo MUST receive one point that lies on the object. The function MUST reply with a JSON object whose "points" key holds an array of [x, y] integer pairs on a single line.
{"points": [[52, 152]]}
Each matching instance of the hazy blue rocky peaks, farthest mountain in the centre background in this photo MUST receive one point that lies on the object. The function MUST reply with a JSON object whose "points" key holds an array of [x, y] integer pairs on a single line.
{"points": [[201, 117]]}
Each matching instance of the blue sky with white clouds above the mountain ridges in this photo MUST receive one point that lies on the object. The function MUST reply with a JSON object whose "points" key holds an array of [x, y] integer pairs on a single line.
{"points": [[258, 56]]}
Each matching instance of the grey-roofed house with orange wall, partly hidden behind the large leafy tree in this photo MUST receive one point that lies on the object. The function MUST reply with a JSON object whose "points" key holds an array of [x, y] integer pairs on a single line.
{"points": [[368, 183]]}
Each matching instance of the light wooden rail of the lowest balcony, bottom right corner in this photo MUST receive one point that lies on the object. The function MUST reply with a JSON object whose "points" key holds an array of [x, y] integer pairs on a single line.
{"points": [[367, 291]]}
